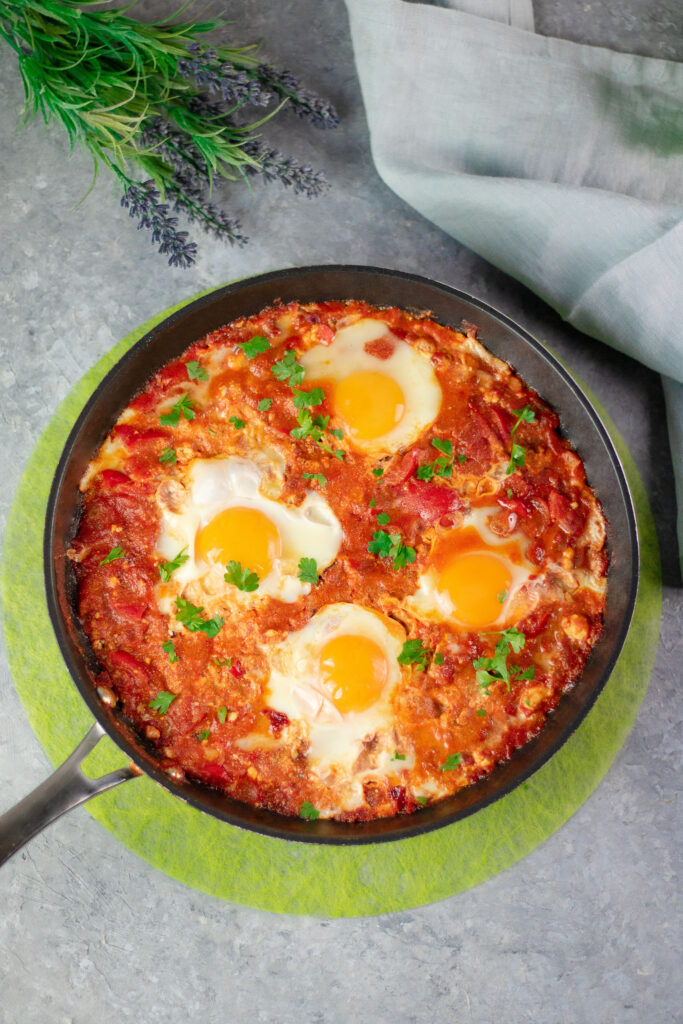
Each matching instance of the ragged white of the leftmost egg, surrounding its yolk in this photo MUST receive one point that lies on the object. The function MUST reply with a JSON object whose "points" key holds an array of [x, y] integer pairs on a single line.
{"points": [[311, 530]]}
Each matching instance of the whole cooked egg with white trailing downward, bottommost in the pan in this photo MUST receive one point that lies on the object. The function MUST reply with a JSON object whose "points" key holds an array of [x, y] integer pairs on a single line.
{"points": [[334, 680]]}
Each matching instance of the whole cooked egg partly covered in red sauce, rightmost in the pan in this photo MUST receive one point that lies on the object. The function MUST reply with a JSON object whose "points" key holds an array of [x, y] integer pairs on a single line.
{"points": [[475, 579]]}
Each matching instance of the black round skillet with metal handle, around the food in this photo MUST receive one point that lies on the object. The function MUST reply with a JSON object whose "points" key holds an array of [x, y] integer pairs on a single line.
{"points": [[580, 422]]}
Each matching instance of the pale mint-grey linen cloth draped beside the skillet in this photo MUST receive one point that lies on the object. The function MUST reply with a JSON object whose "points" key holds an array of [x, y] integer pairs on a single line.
{"points": [[563, 164]]}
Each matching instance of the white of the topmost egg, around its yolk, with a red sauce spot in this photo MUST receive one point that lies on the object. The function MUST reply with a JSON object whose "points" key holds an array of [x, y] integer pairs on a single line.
{"points": [[411, 370]]}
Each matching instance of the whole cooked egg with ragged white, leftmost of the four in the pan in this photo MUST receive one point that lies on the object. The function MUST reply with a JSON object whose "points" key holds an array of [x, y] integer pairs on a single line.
{"points": [[223, 515]]}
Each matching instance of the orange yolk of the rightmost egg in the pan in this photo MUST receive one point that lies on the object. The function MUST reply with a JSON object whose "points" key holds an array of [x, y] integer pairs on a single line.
{"points": [[475, 582]]}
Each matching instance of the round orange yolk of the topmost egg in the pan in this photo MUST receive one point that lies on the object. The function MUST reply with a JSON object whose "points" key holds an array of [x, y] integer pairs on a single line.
{"points": [[370, 403]]}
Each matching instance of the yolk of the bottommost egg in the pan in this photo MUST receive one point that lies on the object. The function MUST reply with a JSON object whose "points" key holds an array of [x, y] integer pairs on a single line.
{"points": [[356, 670]]}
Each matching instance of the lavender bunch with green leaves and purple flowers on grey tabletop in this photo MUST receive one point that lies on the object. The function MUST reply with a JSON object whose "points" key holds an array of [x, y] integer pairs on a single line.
{"points": [[159, 109]]}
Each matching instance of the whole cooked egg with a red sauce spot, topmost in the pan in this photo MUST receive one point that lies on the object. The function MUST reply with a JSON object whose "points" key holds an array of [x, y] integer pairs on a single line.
{"points": [[383, 392]]}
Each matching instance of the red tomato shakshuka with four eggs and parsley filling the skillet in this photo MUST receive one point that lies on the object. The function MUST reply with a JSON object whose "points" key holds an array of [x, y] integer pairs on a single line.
{"points": [[337, 562]]}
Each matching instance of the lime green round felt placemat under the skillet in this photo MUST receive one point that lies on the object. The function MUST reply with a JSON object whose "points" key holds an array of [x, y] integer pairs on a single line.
{"points": [[296, 878]]}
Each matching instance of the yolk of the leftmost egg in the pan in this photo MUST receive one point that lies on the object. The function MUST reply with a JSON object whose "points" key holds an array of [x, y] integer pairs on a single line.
{"points": [[240, 535]]}
